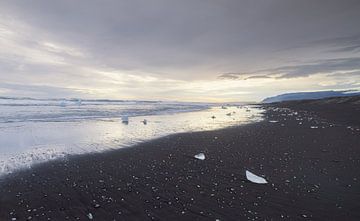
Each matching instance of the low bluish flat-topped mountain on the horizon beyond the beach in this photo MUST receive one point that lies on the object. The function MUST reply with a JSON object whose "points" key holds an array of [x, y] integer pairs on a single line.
{"points": [[310, 95]]}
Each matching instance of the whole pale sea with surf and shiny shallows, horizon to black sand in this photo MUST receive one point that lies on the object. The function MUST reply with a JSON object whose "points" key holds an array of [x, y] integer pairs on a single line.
{"points": [[34, 131]]}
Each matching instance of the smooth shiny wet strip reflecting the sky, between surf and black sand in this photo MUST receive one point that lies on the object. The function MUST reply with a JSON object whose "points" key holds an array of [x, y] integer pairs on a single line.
{"points": [[23, 144]]}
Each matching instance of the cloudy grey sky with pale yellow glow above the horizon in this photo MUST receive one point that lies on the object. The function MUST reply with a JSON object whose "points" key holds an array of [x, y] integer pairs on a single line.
{"points": [[185, 50]]}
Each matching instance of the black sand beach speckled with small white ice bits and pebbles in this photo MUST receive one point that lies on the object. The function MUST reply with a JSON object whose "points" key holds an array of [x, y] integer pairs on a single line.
{"points": [[310, 157]]}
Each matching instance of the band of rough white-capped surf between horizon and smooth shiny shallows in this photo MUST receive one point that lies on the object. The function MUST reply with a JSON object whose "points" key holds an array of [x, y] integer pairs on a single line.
{"points": [[59, 110]]}
